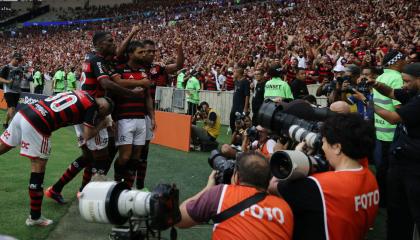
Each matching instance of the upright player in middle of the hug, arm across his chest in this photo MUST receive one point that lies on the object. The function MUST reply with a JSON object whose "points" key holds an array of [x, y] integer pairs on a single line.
{"points": [[130, 113]]}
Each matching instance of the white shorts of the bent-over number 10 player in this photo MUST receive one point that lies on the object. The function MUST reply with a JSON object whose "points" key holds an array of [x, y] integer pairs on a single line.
{"points": [[32, 143]]}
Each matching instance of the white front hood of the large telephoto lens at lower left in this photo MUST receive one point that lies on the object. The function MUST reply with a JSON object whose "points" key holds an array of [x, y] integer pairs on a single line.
{"points": [[93, 199]]}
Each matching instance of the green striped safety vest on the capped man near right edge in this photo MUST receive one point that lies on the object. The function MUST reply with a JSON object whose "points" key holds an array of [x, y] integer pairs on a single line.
{"points": [[385, 130]]}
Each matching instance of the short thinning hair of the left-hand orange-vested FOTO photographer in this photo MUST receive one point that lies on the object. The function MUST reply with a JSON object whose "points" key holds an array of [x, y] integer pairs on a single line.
{"points": [[254, 169]]}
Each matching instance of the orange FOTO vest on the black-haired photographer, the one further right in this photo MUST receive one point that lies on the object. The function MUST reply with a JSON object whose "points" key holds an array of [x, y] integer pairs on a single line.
{"points": [[350, 202]]}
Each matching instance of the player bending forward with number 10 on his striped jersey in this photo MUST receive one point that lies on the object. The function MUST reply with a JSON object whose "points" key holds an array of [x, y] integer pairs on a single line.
{"points": [[32, 126]]}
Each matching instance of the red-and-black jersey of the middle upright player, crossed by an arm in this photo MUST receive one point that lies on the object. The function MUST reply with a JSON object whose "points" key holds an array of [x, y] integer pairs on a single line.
{"points": [[130, 107]]}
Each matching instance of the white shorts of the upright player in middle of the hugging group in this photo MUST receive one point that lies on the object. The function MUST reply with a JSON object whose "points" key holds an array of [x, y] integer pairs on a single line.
{"points": [[131, 131]]}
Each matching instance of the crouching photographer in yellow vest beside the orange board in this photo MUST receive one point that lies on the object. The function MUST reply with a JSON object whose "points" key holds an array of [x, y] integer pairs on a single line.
{"points": [[211, 129]]}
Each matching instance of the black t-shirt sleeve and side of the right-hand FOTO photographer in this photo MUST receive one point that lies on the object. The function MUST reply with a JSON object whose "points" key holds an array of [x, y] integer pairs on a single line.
{"points": [[304, 198]]}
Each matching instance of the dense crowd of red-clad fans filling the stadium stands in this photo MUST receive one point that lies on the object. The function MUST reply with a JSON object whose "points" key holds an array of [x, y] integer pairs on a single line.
{"points": [[313, 34]]}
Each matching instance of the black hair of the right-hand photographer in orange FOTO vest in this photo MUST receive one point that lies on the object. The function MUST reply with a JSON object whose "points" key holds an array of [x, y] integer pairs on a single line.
{"points": [[356, 136]]}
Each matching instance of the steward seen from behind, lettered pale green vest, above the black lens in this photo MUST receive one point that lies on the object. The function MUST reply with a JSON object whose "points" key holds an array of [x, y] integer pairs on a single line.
{"points": [[276, 87]]}
